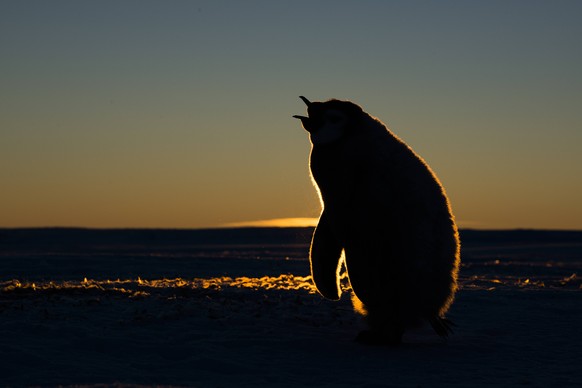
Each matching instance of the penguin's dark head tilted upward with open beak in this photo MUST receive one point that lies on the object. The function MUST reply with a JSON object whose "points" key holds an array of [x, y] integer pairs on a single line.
{"points": [[329, 121]]}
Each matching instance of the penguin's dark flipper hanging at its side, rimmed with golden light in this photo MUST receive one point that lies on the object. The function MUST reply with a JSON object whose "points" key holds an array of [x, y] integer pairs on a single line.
{"points": [[325, 257]]}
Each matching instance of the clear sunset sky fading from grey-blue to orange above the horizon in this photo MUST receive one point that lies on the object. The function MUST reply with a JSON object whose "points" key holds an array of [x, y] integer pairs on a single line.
{"points": [[177, 114]]}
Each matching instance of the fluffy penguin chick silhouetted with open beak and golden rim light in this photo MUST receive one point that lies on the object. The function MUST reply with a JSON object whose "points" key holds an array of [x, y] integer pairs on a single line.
{"points": [[386, 216]]}
